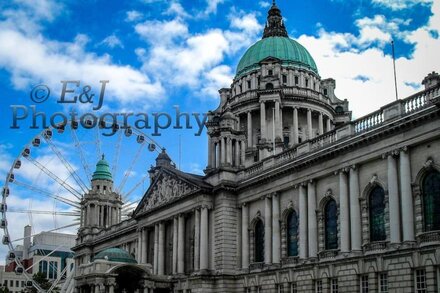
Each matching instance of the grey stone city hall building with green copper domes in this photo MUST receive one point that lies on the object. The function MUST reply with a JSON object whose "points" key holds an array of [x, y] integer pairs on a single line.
{"points": [[296, 197]]}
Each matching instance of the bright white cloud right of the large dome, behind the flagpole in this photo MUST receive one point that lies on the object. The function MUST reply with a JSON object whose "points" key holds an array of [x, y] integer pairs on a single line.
{"points": [[336, 57]]}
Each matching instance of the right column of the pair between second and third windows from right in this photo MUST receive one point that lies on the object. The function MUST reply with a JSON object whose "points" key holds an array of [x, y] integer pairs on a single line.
{"points": [[355, 211]]}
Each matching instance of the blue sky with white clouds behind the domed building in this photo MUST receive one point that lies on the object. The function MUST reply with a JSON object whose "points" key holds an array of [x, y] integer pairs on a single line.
{"points": [[157, 54]]}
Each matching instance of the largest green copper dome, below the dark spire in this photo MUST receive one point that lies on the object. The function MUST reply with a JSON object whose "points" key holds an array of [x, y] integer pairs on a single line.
{"points": [[290, 52]]}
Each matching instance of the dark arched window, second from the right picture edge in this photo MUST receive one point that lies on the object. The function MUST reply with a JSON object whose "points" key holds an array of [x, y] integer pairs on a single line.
{"points": [[377, 214]]}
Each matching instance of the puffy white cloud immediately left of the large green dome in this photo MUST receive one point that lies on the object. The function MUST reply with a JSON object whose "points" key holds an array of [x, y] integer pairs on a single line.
{"points": [[180, 58]]}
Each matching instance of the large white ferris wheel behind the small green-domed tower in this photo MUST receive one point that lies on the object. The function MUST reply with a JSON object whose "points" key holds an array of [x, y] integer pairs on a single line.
{"points": [[47, 181]]}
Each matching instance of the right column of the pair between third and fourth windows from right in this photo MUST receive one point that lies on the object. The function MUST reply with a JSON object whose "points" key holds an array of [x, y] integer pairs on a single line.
{"points": [[311, 212]]}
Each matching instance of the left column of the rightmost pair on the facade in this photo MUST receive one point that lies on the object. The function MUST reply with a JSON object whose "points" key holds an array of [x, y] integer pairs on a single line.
{"points": [[393, 198]]}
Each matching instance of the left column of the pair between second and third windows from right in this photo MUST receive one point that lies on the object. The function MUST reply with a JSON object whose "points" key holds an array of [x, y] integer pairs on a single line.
{"points": [[344, 213]]}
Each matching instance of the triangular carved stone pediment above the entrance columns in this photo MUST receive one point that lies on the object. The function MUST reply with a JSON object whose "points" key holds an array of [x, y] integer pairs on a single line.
{"points": [[166, 188]]}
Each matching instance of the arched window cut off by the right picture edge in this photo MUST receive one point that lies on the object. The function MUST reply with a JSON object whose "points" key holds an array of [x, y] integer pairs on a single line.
{"points": [[431, 200]]}
